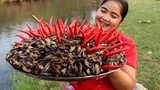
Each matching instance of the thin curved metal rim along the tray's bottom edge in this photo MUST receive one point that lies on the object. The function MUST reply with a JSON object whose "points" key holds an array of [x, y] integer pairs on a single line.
{"points": [[51, 78]]}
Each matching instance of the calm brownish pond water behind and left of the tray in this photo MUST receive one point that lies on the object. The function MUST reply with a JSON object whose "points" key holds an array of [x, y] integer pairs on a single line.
{"points": [[14, 16]]}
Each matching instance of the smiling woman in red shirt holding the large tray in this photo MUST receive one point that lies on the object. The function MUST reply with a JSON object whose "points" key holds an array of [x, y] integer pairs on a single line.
{"points": [[110, 14]]}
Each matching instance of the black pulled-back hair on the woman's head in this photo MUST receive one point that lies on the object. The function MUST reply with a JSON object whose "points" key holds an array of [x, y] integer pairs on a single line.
{"points": [[124, 5]]}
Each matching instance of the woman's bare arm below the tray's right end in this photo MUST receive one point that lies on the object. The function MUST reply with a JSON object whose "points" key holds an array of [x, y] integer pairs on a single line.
{"points": [[123, 79]]}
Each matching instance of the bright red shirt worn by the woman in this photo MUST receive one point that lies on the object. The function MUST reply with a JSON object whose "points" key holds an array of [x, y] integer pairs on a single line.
{"points": [[104, 83]]}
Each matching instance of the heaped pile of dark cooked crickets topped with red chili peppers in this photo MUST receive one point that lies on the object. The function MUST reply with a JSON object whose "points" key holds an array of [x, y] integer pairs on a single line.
{"points": [[62, 50]]}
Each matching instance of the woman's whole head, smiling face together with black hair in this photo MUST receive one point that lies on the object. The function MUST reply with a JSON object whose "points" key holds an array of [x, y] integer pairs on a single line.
{"points": [[111, 13]]}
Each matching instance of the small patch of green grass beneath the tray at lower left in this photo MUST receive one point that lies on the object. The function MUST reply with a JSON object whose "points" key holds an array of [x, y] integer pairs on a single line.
{"points": [[23, 82]]}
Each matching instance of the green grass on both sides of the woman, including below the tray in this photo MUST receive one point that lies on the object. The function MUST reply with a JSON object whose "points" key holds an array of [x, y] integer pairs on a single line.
{"points": [[143, 25]]}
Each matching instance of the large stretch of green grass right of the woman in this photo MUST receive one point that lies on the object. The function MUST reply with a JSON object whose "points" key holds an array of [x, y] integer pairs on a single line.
{"points": [[147, 39]]}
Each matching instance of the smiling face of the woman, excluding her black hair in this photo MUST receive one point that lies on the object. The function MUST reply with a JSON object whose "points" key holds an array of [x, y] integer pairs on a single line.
{"points": [[109, 14]]}
